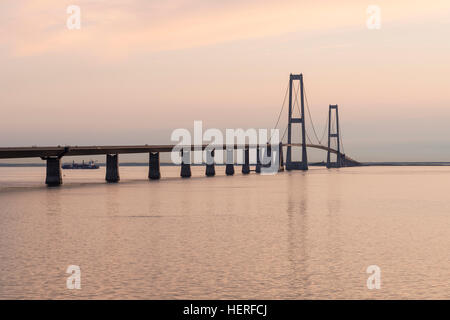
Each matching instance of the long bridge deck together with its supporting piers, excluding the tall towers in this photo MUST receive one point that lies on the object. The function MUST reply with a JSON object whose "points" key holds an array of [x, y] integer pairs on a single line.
{"points": [[53, 157]]}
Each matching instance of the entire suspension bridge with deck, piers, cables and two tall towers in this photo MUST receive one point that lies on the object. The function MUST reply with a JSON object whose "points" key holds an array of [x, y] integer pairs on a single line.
{"points": [[269, 155]]}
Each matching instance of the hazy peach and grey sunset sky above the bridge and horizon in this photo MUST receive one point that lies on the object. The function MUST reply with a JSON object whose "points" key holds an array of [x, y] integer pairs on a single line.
{"points": [[138, 69]]}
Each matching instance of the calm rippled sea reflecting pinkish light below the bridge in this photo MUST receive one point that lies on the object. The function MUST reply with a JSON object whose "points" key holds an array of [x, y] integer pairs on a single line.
{"points": [[289, 236]]}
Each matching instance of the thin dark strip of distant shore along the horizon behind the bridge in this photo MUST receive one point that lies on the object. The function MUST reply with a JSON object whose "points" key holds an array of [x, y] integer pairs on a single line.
{"points": [[317, 164]]}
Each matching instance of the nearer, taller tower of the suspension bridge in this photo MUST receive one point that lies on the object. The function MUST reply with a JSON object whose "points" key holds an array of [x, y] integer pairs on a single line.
{"points": [[303, 164]]}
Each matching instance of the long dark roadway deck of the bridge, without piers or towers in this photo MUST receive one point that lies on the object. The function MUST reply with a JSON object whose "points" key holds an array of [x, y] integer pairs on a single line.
{"points": [[60, 151]]}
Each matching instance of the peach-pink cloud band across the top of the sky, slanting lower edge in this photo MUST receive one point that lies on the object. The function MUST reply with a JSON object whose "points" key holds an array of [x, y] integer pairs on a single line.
{"points": [[112, 29]]}
